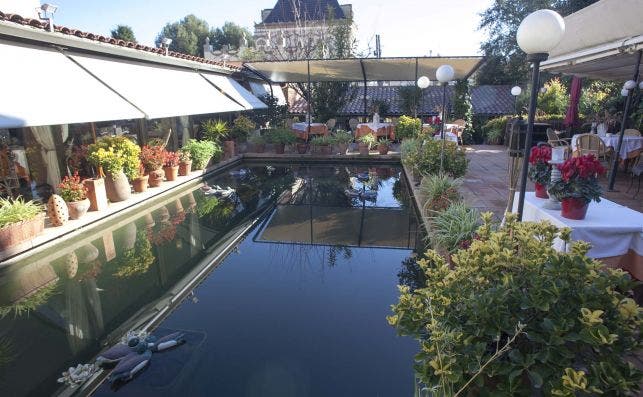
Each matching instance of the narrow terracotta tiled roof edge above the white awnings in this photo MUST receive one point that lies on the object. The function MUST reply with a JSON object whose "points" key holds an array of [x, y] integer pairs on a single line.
{"points": [[41, 25]]}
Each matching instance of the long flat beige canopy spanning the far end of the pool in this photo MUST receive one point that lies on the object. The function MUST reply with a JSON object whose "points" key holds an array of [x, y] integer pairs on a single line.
{"points": [[361, 69]]}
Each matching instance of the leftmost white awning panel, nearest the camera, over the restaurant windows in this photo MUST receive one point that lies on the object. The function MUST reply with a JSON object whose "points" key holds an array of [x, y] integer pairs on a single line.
{"points": [[41, 86]]}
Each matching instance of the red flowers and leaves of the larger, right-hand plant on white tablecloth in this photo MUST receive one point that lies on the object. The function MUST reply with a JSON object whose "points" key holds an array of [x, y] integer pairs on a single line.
{"points": [[579, 179]]}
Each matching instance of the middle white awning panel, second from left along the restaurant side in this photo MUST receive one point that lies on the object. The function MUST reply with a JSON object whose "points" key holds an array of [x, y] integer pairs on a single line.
{"points": [[158, 91]]}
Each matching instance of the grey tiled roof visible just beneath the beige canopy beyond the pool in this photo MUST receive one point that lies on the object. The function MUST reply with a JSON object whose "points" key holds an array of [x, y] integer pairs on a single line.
{"points": [[484, 99]]}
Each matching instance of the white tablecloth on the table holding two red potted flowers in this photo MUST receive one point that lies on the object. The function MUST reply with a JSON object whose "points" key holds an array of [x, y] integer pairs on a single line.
{"points": [[611, 228]]}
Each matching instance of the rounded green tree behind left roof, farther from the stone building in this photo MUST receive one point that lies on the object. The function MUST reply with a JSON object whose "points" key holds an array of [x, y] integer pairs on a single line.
{"points": [[188, 35]]}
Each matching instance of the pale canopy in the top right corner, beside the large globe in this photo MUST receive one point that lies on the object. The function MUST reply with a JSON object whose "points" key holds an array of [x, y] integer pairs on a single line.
{"points": [[600, 41]]}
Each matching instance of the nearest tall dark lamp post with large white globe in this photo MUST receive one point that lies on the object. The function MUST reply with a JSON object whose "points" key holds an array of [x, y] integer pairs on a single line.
{"points": [[538, 34]]}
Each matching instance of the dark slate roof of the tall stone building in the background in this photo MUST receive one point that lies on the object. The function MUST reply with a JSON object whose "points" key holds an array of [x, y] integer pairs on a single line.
{"points": [[308, 10]]}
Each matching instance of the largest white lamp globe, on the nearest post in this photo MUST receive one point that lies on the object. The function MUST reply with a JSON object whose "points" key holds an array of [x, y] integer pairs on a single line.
{"points": [[540, 31]]}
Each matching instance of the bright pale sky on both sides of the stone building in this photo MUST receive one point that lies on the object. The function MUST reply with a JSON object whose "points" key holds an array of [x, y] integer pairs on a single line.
{"points": [[407, 27]]}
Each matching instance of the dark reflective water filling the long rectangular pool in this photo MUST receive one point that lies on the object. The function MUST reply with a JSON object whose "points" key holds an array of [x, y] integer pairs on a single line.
{"points": [[297, 309]]}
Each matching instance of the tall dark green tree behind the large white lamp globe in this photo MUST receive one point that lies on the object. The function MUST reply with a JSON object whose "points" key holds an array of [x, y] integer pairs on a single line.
{"points": [[505, 61]]}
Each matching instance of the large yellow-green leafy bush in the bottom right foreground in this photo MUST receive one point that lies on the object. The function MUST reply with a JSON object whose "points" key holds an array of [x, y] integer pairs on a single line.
{"points": [[570, 323]]}
